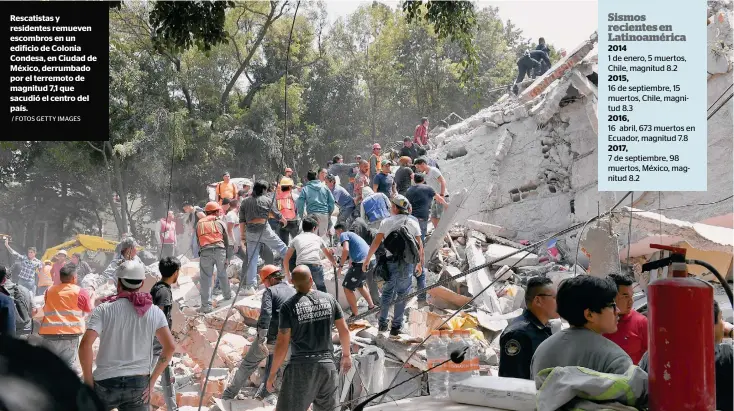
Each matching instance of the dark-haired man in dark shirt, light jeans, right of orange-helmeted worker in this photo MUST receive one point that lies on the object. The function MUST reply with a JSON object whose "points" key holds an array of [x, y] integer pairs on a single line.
{"points": [[256, 232]]}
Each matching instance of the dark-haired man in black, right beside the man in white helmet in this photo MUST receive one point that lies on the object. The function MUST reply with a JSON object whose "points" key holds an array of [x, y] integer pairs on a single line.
{"points": [[163, 298]]}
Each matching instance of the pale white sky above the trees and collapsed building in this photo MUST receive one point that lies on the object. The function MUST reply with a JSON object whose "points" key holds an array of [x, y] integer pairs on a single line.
{"points": [[564, 24]]}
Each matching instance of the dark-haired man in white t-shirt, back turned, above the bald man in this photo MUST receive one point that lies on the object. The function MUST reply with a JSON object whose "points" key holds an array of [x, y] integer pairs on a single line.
{"points": [[308, 247]]}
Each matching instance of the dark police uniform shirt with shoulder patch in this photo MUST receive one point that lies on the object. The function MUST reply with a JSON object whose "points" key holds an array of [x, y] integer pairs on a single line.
{"points": [[518, 343]]}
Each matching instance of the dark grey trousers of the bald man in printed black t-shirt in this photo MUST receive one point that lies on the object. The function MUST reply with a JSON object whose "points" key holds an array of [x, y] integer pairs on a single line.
{"points": [[309, 383]]}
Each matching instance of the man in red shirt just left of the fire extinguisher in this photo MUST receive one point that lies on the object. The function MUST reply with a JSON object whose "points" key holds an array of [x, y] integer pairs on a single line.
{"points": [[631, 334]]}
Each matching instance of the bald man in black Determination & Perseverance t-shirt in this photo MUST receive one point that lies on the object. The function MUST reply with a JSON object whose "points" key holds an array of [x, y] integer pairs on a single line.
{"points": [[306, 320]]}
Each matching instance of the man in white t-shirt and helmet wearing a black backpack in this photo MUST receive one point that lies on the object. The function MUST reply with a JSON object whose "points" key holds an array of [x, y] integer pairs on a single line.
{"points": [[402, 237]]}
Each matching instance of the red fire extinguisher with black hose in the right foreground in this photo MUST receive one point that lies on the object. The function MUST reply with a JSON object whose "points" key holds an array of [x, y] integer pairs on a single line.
{"points": [[681, 328]]}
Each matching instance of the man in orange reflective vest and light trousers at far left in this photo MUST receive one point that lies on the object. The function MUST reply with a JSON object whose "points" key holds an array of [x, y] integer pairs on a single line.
{"points": [[62, 325]]}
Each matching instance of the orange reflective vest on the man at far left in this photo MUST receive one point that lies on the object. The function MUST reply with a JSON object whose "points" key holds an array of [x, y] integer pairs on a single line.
{"points": [[61, 313]]}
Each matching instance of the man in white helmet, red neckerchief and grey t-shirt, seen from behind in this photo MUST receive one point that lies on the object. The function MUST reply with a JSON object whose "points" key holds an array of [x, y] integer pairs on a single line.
{"points": [[126, 323]]}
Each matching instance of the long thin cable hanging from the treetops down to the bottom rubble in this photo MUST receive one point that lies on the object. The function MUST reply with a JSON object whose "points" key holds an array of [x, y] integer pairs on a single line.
{"points": [[259, 244]]}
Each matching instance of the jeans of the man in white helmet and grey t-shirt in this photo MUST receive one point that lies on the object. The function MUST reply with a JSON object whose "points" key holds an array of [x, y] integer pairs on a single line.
{"points": [[123, 393]]}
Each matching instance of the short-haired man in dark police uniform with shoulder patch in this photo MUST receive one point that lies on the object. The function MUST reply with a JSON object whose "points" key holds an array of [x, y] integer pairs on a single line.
{"points": [[522, 337]]}
